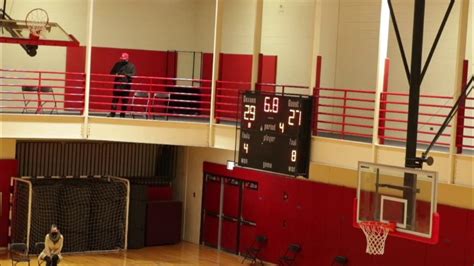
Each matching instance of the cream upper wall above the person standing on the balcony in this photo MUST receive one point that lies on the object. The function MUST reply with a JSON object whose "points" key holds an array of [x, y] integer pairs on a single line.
{"points": [[150, 25]]}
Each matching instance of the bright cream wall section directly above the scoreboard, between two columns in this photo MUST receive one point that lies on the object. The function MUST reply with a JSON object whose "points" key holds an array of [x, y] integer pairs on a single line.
{"points": [[287, 32]]}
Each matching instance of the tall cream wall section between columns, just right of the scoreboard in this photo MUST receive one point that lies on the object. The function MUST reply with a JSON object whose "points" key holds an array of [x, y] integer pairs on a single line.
{"points": [[349, 47]]}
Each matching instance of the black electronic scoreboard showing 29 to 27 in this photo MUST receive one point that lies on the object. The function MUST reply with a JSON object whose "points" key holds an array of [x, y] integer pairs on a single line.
{"points": [[275, 132]]}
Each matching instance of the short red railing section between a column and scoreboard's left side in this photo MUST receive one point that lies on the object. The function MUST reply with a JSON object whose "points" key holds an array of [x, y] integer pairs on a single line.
{"points": [[227, 99]]}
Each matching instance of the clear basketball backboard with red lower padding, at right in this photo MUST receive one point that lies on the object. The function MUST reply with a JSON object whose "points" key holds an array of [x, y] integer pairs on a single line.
{"points": [[384, 194]]}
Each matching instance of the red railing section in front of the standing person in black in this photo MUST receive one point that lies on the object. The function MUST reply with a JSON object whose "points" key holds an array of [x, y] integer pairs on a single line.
{"points": [[150, 97]]}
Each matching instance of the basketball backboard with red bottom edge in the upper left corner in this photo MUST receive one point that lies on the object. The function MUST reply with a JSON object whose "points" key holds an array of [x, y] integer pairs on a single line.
{"points": [[17, 31]]}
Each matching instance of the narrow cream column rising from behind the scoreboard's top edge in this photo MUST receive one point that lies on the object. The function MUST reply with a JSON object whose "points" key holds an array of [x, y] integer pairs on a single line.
{"points": [[257, 42]]}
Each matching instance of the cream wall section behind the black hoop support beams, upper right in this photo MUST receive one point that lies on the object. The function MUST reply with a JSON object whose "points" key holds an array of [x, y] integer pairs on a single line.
{"points": [[441, 75]]}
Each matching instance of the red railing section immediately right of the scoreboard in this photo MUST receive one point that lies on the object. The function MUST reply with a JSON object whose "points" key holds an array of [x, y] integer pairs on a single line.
{"points": [[343, 112]]}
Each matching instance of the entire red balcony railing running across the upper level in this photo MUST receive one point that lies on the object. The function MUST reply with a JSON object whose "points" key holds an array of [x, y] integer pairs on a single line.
{"points": [[337, 113]]}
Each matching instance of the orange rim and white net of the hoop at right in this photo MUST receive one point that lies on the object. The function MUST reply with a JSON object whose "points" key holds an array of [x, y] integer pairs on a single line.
{"points": [[376, 233]]}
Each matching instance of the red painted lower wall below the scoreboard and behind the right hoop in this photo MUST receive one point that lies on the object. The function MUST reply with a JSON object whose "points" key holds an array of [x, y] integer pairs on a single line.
{"points": [[319, 217]]}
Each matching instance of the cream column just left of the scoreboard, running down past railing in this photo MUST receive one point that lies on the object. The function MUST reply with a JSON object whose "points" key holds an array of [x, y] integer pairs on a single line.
{"points": [[219, 11]]}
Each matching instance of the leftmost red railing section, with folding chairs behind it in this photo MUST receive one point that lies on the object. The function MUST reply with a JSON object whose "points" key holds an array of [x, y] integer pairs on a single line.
{"points": [[41, 92]]}
